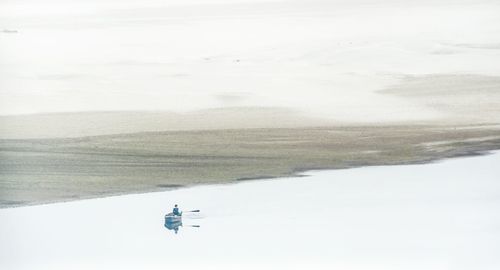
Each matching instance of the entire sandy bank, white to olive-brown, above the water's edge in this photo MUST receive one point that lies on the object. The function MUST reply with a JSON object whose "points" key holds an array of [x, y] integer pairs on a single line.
{"points": [[241, 92]]}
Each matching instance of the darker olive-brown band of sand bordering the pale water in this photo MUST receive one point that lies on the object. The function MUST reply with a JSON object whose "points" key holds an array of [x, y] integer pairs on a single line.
{"points": [[36, 171]]}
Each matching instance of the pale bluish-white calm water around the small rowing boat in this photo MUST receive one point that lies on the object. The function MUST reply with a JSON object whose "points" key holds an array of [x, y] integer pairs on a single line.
{"points": [[436, 216]]}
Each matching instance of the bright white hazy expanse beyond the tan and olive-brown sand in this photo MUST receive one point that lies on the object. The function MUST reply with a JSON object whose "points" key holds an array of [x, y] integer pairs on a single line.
{"points": [[324, 57]]}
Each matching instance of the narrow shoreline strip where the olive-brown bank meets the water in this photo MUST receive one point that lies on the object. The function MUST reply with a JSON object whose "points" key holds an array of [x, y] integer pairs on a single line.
{"points": [[296, 173]]}
